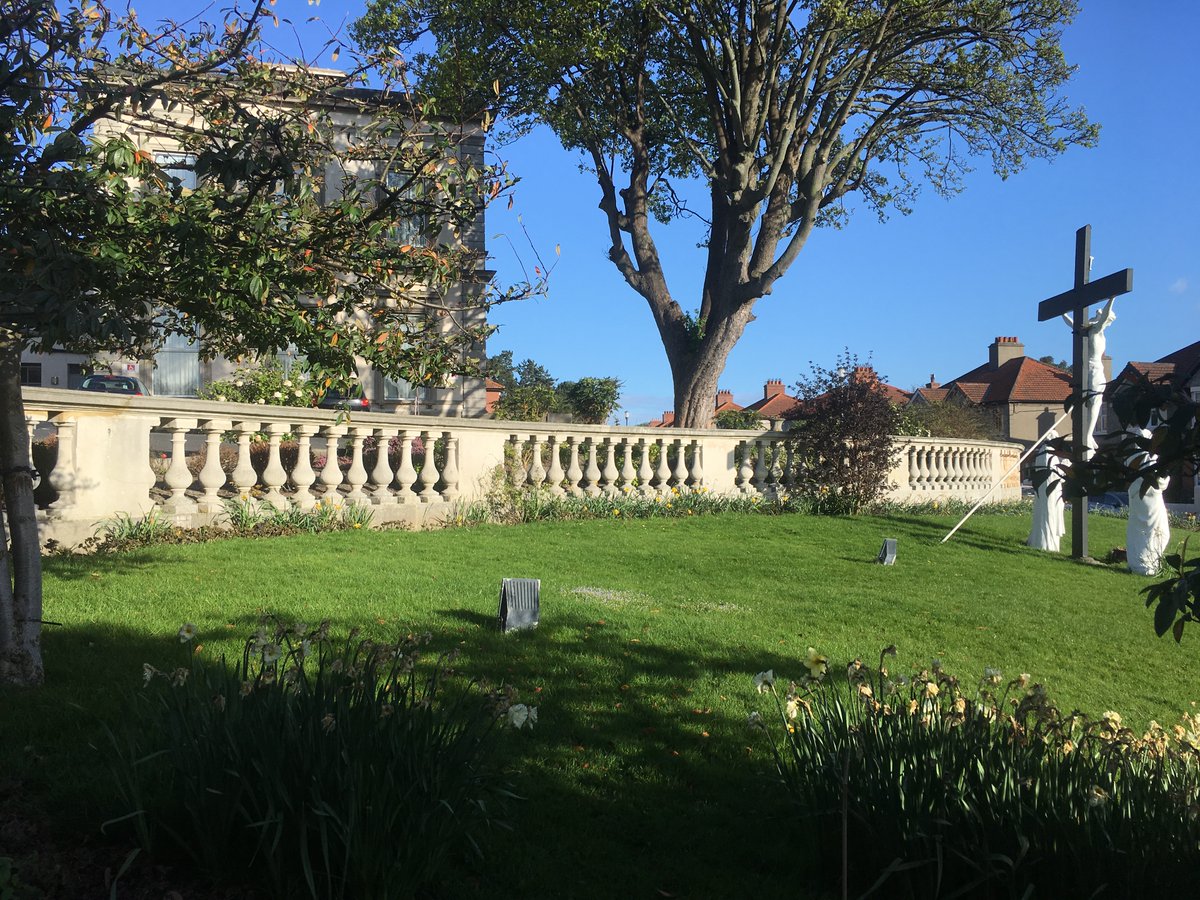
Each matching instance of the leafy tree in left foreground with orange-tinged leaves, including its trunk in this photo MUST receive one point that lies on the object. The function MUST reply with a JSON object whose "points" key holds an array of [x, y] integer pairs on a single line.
{"points": [[103, 248]]}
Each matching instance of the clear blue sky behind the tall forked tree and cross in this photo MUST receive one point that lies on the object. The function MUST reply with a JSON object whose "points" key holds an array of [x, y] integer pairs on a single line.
{"points": [[920, 295]]}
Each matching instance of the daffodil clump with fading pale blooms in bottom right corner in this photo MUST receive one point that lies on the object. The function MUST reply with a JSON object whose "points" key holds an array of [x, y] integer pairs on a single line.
{"points": [[926, 789]]}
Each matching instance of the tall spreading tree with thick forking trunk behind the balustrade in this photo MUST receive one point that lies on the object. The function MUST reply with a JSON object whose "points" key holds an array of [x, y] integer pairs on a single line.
{"points": [[781, 111]]}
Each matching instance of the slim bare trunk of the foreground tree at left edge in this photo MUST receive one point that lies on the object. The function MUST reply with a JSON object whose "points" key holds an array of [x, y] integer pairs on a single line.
{"points": [[21, 572]]}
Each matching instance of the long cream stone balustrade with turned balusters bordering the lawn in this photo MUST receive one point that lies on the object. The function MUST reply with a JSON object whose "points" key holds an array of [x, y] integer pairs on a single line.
{"points": [[188, 459]]}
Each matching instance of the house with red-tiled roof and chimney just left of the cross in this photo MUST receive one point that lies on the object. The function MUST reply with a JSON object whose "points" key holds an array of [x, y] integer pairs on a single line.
{"points": [[1025, 397]]}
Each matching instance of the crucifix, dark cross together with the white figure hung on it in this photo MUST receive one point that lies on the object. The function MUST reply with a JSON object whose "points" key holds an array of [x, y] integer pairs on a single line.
{"points": [[1073, 305]]}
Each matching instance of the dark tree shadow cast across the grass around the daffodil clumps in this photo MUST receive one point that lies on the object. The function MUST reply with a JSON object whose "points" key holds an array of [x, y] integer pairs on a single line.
{"points": [[635, 782]]}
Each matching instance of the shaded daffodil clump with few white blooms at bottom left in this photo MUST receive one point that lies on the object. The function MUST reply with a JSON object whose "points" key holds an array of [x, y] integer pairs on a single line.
{"points": [[313, 767]]}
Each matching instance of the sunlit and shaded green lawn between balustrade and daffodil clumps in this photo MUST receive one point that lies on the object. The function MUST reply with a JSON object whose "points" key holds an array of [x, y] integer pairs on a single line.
{"points": [[641, 778]]}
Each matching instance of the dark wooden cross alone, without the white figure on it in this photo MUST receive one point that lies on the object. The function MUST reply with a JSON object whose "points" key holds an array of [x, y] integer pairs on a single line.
{"points": [[1077, 302]]}
